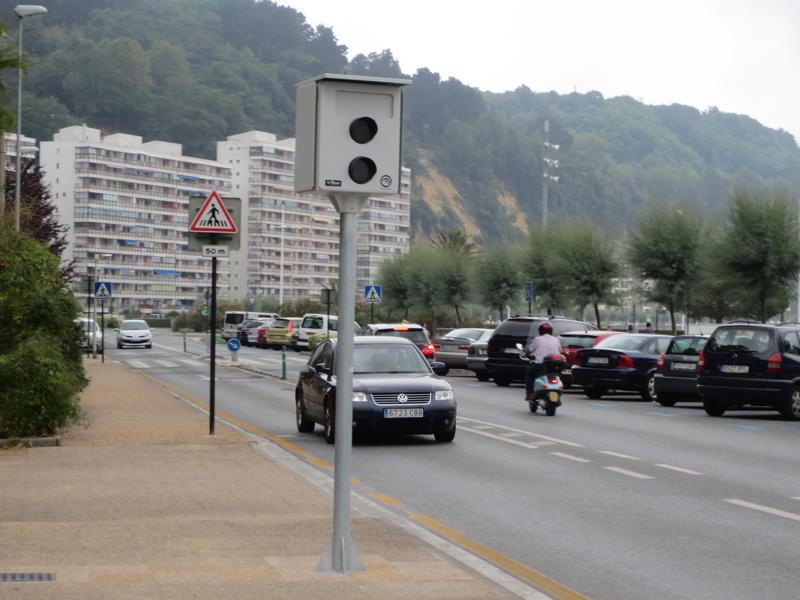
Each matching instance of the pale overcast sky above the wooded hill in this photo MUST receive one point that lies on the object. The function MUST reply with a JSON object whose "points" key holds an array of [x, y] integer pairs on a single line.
{"points": [[742, 56]]}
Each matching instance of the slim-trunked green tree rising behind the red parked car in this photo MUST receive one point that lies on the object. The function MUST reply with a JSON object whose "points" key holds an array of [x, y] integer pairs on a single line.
{"points": [[589, 258]]}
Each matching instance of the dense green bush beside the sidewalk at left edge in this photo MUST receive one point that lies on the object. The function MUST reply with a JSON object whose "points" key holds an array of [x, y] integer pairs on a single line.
{"points": [[41, 368]]}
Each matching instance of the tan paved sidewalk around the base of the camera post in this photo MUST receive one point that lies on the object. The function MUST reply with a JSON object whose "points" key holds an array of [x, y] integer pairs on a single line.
{"points": [[141, 503]]}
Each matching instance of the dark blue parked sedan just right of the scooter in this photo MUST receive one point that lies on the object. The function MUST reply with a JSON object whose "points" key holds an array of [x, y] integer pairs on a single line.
{"points": [[625, 362]]}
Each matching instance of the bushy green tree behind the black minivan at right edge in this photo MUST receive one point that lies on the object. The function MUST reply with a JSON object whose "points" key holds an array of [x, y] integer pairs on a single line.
{"points": [[761, 253]]}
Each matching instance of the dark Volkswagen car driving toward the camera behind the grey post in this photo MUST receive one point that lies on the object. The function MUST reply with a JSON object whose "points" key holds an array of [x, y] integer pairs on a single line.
{"points": [[395, 389]]}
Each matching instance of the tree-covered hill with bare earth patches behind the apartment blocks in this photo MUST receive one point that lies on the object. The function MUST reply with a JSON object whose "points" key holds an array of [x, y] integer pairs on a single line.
{"points": [[195, 71]]}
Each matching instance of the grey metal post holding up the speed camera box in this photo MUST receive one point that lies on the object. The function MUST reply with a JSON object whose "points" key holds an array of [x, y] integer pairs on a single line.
{"points": [[342, 555]]}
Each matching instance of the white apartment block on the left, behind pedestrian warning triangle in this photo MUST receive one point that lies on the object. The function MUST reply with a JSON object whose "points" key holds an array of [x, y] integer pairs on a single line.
{"points": [[125, 202]]}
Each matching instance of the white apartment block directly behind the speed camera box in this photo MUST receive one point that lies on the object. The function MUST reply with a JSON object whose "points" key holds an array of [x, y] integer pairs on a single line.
{"points": [[290, 243]]}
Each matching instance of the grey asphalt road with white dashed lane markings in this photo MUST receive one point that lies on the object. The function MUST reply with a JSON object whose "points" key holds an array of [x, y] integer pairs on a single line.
{"points": [[616, 498]]}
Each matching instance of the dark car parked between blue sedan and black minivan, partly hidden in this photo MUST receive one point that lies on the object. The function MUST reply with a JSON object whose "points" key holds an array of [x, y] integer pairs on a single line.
{"points": [[676, 370]]}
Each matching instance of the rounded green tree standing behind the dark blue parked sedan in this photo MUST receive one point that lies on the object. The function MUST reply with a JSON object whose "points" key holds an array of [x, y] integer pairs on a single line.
{"points": [[666, 249]]}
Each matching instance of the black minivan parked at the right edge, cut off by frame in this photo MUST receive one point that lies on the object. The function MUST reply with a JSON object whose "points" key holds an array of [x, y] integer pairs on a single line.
{"points": [[751, 364]]}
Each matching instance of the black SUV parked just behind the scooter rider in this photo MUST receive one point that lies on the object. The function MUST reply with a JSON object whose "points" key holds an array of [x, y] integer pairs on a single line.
{"points": [[504, 363]]}
